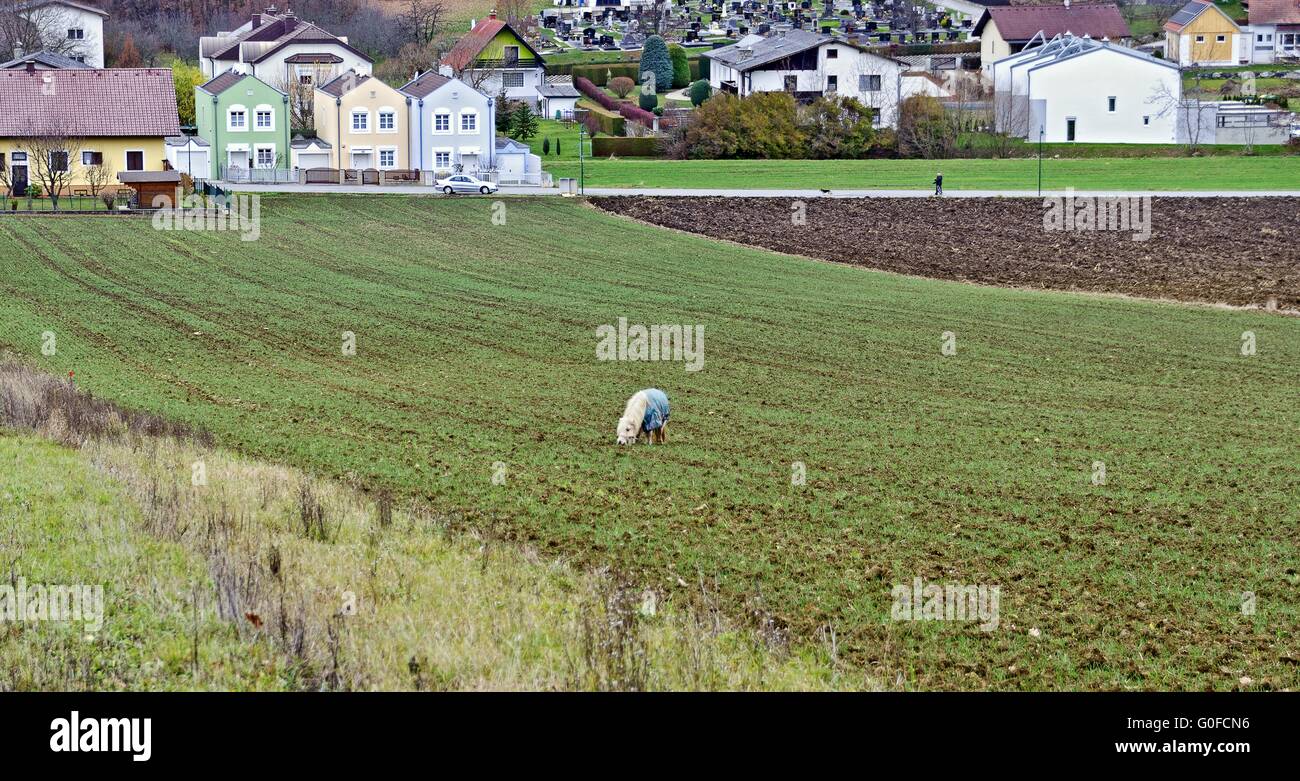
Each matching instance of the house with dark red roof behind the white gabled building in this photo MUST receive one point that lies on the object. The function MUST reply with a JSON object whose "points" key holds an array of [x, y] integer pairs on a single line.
{"points": [[1006, 31]]}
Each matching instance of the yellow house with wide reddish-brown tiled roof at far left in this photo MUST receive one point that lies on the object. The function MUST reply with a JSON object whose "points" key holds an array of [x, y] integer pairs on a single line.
{"points": [[116, 119]]}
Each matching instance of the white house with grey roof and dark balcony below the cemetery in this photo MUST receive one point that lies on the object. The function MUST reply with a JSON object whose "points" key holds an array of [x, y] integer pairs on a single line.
{"points": [[808, 64]]}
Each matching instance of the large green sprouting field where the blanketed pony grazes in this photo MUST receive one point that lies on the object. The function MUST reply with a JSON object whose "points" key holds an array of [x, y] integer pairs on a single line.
{"points": [[476, 358]]}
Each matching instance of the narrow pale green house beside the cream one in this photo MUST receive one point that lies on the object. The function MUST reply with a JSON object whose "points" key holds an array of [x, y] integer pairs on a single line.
{"points": [[245, 122]]}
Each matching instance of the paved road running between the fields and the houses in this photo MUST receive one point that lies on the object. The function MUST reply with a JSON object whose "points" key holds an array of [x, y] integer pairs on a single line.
{"points": [[800, 194]]}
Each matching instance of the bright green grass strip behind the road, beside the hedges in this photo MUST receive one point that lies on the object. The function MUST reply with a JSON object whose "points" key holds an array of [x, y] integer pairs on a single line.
{"points": [[1137, 173]]}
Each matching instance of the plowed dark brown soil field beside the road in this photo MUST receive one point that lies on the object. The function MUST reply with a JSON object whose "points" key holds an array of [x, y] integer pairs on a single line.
{"points": [[1242, 251]]}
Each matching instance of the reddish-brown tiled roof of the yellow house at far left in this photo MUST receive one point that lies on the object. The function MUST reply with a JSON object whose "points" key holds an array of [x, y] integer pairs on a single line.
{"points": [[89, 103]]}
